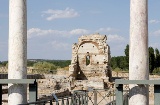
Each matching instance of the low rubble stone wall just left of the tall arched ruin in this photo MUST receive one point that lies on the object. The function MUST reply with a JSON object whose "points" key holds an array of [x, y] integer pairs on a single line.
{"points": [[58, 86]]}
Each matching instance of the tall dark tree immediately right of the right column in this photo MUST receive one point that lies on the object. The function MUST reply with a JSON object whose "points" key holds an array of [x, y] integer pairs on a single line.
{"points": [[151, 59]]}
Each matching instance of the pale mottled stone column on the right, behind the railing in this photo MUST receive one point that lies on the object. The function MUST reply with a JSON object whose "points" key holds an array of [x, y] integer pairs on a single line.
{"points": [[138, 51]]}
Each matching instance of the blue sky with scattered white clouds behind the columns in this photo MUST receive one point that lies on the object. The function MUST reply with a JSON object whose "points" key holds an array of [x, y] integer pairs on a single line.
{"points": [[54, 25]]}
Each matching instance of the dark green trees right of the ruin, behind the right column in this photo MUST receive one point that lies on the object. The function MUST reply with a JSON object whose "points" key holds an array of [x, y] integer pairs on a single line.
{"points": [[122, 62]]}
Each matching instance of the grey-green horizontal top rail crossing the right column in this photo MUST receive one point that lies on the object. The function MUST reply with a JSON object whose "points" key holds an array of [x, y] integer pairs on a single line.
{"points": [[121, 81]]}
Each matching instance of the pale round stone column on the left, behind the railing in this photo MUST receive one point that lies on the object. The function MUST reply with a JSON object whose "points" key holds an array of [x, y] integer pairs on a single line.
{"points": [[17, 56]]}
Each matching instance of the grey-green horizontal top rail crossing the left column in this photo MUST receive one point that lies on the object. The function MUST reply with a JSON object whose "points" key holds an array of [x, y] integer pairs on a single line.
{"points": [[17, 81]]}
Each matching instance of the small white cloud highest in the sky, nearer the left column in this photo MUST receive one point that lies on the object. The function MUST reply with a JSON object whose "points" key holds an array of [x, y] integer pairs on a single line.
{"points": [[57, 14]]}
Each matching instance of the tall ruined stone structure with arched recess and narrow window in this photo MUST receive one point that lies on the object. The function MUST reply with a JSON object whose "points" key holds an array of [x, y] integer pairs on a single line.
{"points": [[91, 60]]}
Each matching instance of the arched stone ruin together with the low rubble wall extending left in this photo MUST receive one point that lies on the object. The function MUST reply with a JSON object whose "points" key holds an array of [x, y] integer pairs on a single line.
{"points": [[90, 68]]}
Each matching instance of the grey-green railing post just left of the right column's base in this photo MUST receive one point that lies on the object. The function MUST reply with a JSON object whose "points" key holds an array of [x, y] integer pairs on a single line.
{"points": [[119, 94]]}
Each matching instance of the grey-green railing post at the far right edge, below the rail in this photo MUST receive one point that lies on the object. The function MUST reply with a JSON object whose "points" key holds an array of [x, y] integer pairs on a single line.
{"points": [[156, 94]]}
